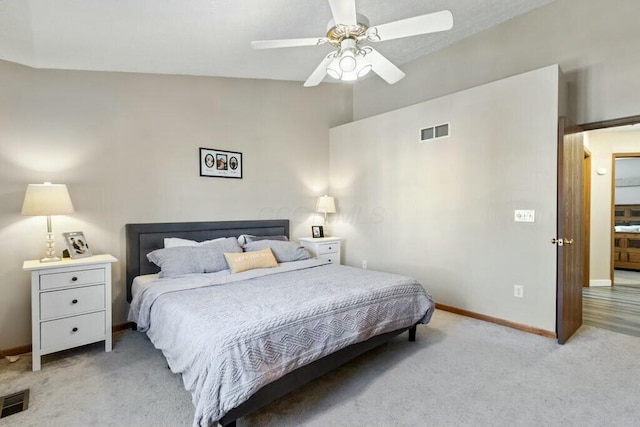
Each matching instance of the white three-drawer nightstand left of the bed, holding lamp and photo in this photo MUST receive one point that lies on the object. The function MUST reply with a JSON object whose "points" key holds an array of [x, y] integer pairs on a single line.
{"points": [[70, 304]]}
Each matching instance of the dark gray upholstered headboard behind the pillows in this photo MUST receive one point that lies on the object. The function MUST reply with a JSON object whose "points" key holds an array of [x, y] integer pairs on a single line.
{"points": [[144, 238]]}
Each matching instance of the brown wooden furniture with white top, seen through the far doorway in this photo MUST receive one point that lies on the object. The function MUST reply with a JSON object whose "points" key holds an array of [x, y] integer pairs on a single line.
{"points": [[626, 241]]}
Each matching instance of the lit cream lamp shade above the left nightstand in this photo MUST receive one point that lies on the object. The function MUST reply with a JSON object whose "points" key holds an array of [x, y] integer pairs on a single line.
{"points": [[47, 199]]}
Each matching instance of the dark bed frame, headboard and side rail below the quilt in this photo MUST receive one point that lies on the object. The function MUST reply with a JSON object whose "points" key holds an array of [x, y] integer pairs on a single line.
{"points": [[144, 238]]}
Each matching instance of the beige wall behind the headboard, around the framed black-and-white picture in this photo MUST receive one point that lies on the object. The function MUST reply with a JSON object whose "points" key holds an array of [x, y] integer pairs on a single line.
{"points": [[127, 147]]}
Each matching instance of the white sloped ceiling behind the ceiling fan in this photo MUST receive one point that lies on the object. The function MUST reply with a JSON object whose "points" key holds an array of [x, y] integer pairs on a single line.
{"points": [[212, 37]]}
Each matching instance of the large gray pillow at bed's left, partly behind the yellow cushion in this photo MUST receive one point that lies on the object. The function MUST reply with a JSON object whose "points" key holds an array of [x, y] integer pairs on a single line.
{"points": [[207, 258]]}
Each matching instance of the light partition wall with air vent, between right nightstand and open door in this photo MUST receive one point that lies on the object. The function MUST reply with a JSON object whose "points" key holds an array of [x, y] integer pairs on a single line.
{"points": [[442, 211]]}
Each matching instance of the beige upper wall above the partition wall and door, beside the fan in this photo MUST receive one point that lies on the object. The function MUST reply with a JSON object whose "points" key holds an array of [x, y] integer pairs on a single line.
{"points": [[594, 41]]}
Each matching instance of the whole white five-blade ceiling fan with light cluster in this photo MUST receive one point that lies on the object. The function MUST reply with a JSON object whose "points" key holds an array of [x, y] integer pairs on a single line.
{"points": [[348, 31]]}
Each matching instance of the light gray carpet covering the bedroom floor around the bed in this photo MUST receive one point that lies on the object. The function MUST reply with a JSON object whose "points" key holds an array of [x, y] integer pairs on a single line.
{"points": [[459, 372]]}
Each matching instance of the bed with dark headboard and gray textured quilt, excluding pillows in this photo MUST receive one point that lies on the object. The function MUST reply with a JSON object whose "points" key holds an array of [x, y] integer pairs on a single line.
{"points": [[238, 368]]}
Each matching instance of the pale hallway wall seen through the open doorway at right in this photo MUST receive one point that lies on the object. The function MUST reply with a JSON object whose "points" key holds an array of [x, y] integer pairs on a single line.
{"points": [[603, 144]]}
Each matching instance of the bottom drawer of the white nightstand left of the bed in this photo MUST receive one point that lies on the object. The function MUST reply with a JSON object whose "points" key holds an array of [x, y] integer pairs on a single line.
{"points": [[72, 331]]}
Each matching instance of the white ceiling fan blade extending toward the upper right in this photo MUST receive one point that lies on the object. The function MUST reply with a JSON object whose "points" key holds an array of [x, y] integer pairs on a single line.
{"points": [[423, 24]]}
